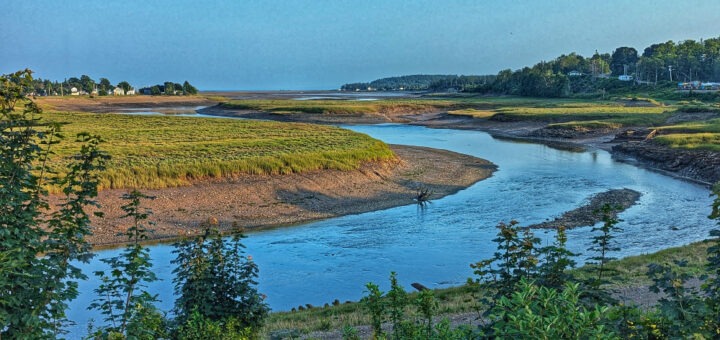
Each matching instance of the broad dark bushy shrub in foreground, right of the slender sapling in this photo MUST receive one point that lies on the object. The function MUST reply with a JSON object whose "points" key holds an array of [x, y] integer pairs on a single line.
{"points": [[216, 280]]}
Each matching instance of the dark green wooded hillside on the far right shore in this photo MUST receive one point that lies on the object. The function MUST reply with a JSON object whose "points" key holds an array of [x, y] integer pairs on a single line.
{"points": [[661, 64]]}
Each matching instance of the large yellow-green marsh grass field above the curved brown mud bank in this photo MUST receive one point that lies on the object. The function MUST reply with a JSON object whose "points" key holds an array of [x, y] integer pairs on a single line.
{"points": [[162, 151]]}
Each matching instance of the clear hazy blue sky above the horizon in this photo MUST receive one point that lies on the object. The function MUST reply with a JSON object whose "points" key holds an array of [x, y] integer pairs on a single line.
{"points": [[322, 44]]}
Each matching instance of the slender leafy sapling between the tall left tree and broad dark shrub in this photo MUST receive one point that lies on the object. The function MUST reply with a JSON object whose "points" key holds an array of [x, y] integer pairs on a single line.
{"points": [[128, 308]]}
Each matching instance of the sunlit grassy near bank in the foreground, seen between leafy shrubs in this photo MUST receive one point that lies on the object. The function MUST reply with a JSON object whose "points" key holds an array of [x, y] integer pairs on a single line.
{"points": [[628, 272]]}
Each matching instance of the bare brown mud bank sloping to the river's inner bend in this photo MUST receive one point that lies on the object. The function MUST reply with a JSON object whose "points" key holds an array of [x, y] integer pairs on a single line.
{"points": [[253, 202]]}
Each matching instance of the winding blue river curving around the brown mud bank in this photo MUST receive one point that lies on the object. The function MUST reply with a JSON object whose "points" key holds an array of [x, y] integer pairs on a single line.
{"points": [[318, 262]]}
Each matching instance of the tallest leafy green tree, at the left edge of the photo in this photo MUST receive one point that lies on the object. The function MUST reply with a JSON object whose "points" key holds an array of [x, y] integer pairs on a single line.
{"points": [[37, 246]]}
